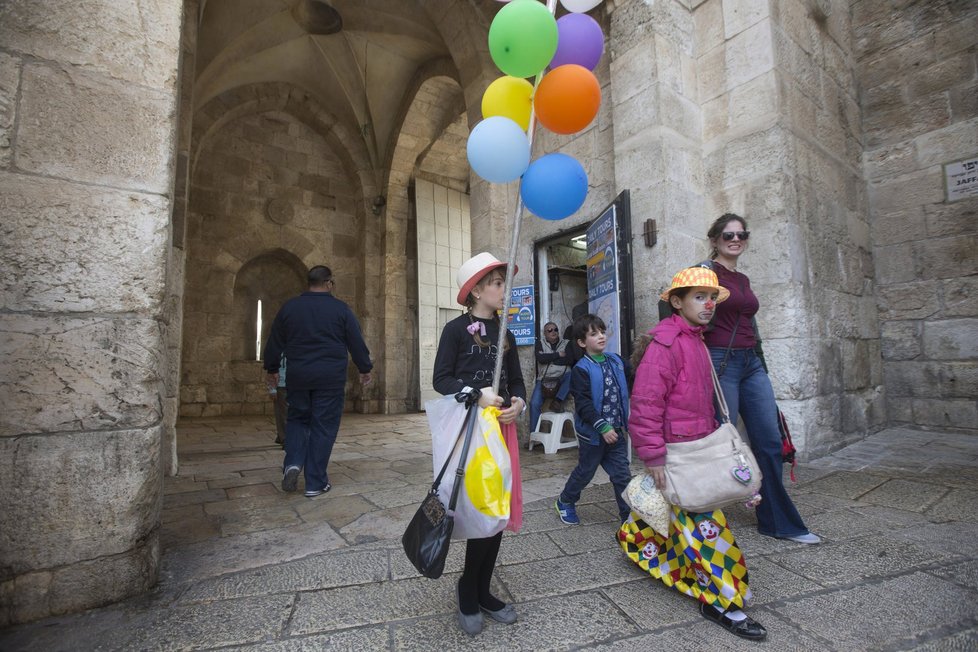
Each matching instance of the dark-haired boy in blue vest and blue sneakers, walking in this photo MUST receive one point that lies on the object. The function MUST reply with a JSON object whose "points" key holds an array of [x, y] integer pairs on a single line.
{"points": [[601, 414]]}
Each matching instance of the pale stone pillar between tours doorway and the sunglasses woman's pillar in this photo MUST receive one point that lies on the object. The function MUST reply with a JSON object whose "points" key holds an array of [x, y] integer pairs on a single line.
{"points": [[657, 126]]}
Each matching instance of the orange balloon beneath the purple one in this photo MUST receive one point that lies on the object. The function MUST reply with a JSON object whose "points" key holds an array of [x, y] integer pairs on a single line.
{"points": [[567, 99]]}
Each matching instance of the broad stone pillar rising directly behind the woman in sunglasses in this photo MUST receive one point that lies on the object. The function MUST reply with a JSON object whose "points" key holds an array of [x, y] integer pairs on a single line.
{"points": [[782, 145]]}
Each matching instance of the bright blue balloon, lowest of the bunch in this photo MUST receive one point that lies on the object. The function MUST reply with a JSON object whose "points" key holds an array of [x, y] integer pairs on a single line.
{"points": [[554, 186]]}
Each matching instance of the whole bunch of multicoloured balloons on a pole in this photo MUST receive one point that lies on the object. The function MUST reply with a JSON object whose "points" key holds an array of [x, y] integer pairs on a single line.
{"points": [[524, 40]]}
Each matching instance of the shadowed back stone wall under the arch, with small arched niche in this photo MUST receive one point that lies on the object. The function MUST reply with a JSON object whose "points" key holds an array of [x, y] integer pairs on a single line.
{"points": [[268, 200]]}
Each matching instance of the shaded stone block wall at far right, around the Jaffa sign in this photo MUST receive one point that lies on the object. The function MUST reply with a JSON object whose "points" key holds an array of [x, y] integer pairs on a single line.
{"points": [[917, 73]]}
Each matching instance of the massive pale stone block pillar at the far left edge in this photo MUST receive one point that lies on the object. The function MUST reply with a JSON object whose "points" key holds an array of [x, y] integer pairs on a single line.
{"points": [[87, 131]]}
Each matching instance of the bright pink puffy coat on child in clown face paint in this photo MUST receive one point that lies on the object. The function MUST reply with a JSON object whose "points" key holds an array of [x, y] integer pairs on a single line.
{"points": [[672, 400]]}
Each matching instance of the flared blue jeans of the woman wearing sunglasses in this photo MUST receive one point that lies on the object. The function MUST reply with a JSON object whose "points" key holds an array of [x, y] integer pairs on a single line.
{"points": [[748, 392]]}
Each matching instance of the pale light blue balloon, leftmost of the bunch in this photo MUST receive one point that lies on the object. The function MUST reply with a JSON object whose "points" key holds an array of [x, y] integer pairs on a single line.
{"points": [[498, 150]]}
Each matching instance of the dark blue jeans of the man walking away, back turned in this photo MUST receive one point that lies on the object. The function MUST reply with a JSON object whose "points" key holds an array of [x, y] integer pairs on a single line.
{"points": [[314, 420]]}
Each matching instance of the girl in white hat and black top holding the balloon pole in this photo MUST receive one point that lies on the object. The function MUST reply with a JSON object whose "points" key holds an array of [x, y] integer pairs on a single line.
{"points": [[464, 366]]}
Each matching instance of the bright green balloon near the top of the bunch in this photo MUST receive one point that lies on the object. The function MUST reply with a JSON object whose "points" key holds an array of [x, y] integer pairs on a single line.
{"points": [[523, 38]]}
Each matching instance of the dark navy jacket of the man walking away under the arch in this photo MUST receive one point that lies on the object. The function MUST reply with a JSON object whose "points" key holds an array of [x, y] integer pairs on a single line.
{"points": [[316, 330]]}
